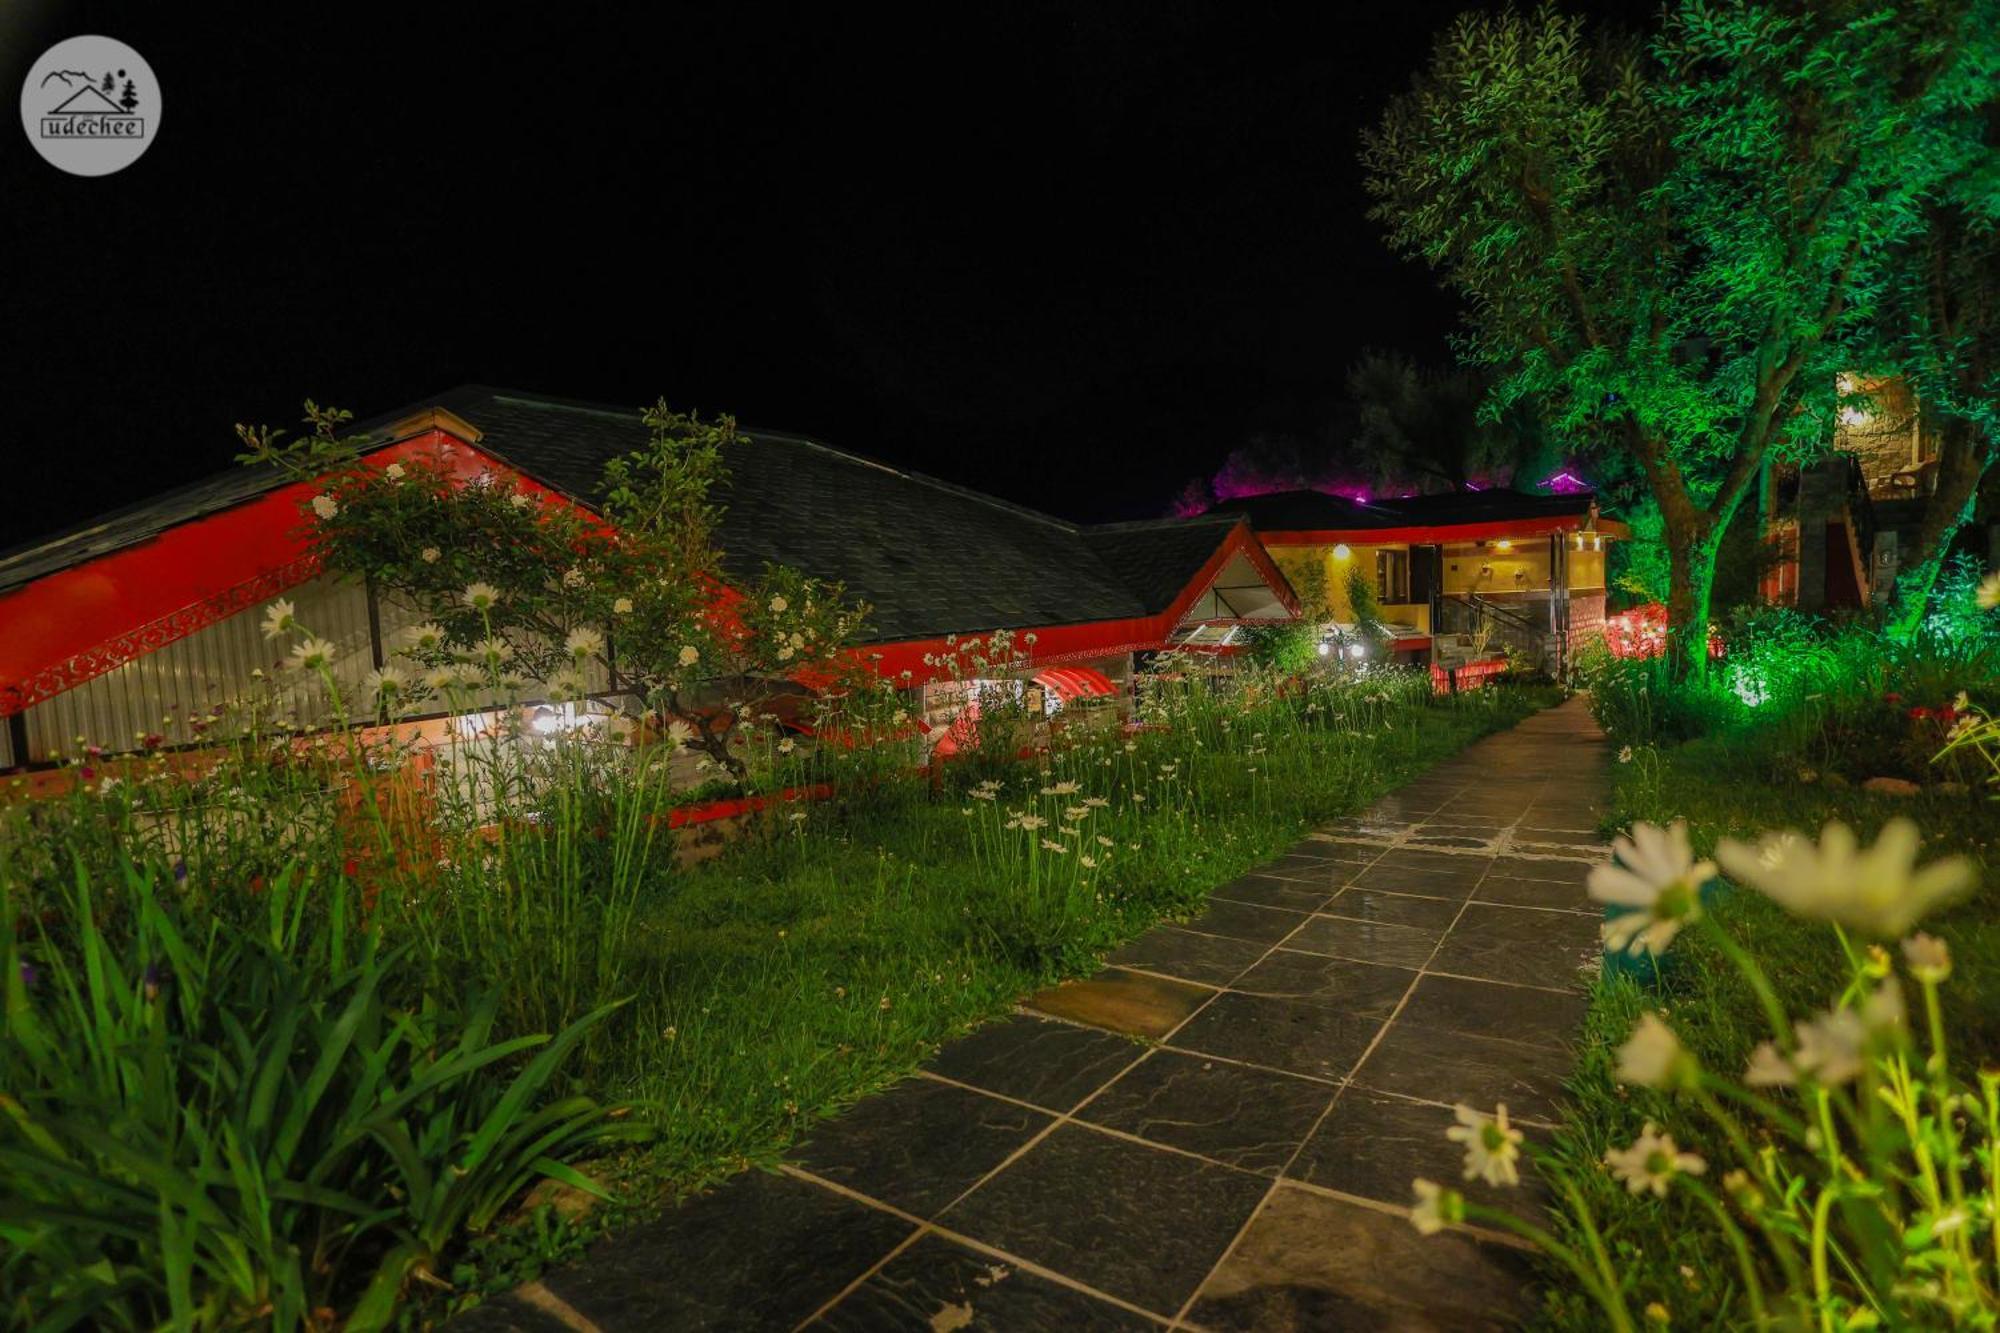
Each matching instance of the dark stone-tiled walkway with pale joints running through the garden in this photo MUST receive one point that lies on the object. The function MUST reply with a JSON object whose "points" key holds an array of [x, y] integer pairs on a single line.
{"points": [[1217, 1132]]}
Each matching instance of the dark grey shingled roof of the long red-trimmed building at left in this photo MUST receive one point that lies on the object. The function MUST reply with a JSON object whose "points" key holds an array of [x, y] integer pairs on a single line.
{"points": [[929, 557]]}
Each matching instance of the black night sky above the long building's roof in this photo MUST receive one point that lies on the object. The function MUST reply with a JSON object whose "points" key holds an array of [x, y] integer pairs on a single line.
{"points": [[1071, 253]]}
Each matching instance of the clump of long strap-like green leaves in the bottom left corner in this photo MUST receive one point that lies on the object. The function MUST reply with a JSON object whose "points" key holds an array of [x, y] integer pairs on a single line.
{"points": [[215, 1114]]}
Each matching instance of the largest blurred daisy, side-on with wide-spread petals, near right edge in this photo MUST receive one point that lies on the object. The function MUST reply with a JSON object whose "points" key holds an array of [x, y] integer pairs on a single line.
{"points": [[1877, 892]]}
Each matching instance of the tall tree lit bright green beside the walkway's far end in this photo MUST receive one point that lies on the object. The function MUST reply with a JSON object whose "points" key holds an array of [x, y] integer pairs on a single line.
{"points": [[1675, 243]]}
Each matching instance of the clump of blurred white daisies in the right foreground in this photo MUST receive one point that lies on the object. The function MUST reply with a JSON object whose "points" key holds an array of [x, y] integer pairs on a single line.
{"points": [[1863, 1178]]}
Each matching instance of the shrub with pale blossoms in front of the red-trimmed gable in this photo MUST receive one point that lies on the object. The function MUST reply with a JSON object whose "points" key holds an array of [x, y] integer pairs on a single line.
{"points": [[531, 595]]}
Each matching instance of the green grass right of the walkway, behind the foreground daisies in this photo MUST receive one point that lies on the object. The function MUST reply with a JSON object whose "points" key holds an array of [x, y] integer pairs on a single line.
{"points": [[1727, 788]]}
